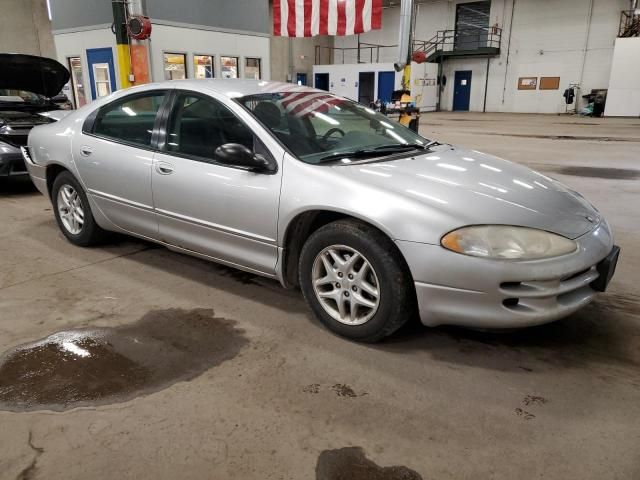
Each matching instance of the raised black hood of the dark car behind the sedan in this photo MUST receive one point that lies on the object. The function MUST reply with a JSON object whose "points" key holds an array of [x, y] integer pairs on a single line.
{"points": [[34, 74]]}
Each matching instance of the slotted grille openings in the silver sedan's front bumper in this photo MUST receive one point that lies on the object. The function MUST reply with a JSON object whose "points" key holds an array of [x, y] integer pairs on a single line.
{"points": [[538, 295]]}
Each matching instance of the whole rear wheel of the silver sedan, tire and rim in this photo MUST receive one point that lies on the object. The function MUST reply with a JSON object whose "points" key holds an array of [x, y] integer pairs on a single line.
{"points": [[73, 213]]}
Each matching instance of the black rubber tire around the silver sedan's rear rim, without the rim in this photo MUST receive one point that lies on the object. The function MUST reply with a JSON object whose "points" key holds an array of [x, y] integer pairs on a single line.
{"points": [[91, 233]]}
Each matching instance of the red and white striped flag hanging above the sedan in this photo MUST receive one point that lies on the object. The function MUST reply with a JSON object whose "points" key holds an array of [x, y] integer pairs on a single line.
{"points": [[308, 18]]}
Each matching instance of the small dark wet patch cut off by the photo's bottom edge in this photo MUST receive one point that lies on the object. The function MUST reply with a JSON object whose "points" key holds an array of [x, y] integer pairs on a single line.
{"points": [[350, 463]]}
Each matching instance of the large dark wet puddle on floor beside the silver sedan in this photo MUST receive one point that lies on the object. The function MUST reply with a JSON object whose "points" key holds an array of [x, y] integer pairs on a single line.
{"points": [[99, 366]]}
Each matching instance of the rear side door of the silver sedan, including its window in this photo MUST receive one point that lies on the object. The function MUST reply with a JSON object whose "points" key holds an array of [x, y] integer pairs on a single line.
{"points": [[114, 157]]}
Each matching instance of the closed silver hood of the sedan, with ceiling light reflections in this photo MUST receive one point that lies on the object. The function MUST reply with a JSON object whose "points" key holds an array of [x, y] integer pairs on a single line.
{"points": [[474, 188]]}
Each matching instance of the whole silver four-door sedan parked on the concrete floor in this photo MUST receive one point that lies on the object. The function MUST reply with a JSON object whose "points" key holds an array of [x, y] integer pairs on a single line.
{"points": [[372, 221]]}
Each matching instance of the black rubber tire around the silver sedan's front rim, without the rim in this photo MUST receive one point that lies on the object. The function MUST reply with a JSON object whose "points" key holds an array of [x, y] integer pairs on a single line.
{"points": [[396, 290]]}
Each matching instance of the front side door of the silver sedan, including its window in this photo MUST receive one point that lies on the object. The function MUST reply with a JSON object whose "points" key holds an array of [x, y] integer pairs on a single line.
{"points": [[207, 207]]}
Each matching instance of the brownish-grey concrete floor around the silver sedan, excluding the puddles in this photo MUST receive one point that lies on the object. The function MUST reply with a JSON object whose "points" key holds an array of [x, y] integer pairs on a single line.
{"points": [[559, 401]]}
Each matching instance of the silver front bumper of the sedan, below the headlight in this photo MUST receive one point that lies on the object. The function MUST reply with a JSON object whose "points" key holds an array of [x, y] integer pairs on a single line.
{"points": [[457, 289]]}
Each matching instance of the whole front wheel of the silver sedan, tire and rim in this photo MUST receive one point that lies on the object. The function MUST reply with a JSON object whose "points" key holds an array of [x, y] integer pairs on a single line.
{"points": [[355, 281]]}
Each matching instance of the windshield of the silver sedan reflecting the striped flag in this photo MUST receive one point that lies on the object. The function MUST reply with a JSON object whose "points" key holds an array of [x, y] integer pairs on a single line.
{"points": [[320, 127]]}
